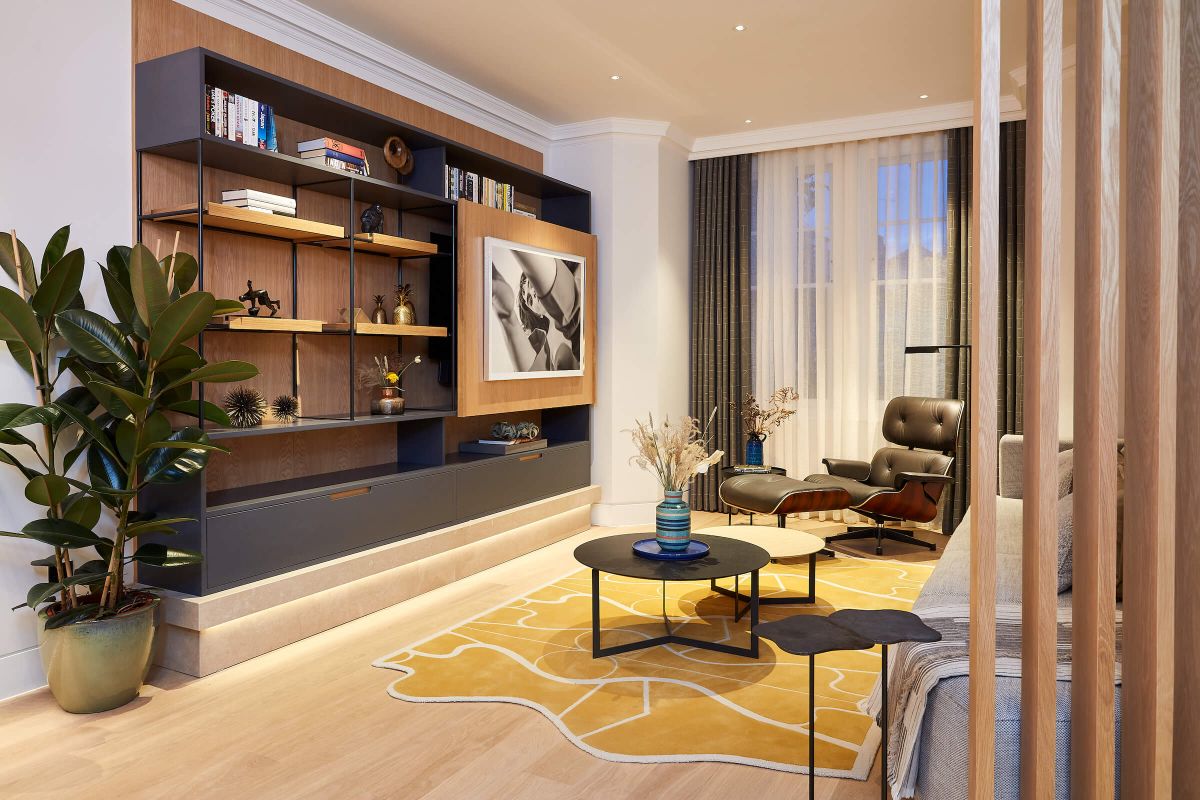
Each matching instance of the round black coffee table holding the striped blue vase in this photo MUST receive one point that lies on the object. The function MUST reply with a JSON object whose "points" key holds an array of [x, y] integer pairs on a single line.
{"points": [[727, 558]]}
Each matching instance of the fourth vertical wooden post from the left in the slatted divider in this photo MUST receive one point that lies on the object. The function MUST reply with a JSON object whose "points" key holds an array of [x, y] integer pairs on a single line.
{"points": [[1151, 326]]}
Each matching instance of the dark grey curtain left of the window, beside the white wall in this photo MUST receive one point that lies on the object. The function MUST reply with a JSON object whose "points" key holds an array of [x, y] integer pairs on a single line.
{"points": [[721, 306]]}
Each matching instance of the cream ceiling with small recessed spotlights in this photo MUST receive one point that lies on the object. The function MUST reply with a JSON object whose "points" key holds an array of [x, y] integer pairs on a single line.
{"points": [[682, 62]]}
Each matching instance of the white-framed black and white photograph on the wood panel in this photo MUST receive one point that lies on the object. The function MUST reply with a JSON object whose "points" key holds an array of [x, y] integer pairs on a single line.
{"points": [[535, 323]]}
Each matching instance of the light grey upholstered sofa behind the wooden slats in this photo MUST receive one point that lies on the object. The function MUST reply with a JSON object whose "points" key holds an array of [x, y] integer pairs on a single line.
{"points": [[943, 749]]}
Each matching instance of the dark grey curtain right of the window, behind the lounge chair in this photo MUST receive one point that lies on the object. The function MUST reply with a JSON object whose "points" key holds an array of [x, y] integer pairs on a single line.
{"points": [[1011, 365]]}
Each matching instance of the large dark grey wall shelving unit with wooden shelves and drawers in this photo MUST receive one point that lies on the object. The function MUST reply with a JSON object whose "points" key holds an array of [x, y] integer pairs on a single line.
{"points": [[339, 479]]}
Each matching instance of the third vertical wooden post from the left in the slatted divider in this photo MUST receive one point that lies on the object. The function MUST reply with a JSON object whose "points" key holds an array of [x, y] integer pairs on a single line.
{"points": [[1097, 284]]}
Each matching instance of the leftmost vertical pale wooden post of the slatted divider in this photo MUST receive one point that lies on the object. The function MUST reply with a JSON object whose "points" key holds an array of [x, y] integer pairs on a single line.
{"points": [[985, 304]]}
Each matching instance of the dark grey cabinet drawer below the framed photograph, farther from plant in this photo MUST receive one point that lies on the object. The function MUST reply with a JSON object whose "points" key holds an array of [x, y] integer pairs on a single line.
{"points": [[514, 480]]}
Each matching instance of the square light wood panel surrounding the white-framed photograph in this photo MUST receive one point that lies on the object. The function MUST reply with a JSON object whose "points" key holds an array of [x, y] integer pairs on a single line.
{"points": [[479, 396]]}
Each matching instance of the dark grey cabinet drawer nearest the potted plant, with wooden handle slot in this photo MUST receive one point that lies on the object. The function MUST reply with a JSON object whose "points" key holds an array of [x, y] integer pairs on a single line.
{"points": [[255, 543]]}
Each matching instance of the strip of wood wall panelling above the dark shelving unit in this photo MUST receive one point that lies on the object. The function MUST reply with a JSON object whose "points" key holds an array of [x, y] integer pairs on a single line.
{"points": [[163, 27]]}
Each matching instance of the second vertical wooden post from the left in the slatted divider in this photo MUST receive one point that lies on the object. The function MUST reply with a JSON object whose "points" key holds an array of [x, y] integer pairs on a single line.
{"points": [[1043, 244]]}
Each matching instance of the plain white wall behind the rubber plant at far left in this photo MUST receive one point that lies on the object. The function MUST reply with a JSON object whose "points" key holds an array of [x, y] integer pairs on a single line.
{"points": [[65, 158]]}
